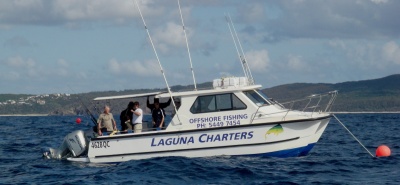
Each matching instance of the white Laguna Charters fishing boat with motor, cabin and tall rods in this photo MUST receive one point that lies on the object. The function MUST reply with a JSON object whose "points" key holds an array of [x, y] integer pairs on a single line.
{"points": [[233, 118]]}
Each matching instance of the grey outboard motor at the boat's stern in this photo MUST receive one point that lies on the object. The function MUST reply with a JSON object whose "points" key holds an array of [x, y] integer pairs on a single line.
{"points": [[74, 145]]}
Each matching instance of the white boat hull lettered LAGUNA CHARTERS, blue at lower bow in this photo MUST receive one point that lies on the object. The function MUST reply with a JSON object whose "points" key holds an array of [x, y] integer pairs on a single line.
{"points": [[278, 139]]}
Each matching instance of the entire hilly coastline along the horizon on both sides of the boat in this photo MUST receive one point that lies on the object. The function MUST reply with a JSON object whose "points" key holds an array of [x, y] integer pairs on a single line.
{"points": [[368, 95]]}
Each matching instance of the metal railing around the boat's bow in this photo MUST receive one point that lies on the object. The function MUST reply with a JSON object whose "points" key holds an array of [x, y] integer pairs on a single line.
{"points": [[308, 105]]}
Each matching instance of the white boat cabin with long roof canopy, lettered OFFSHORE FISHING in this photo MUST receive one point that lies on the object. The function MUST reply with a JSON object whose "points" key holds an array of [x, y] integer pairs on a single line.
{"points": [[231, 101]]}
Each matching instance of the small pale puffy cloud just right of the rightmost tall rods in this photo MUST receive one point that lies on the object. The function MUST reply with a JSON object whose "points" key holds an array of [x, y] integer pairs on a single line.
{"points": [[258, 61]]}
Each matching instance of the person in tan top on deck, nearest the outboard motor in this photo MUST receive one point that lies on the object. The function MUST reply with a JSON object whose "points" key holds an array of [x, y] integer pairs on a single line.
{"points": [[106, 122]]}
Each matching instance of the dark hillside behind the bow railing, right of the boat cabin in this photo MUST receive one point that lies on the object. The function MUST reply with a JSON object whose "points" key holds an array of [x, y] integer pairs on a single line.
{"points": [[381, 94]]}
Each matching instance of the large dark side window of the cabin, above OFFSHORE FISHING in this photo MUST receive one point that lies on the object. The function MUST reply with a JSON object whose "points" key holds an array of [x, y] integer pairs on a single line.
{"points": [[215, 103]]}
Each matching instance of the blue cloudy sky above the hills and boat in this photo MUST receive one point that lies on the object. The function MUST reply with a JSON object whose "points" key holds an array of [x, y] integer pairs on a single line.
{"points": [[74, 46]]}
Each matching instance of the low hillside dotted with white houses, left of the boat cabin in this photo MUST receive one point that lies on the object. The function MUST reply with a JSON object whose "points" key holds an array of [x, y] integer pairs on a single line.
{"points": [[73, 104]]}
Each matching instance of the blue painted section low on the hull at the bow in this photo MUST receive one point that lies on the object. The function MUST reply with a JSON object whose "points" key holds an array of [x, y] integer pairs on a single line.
{"points": [[294, 152]]}
